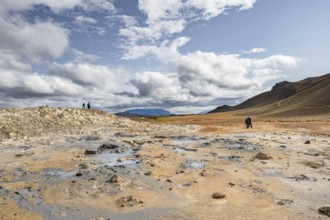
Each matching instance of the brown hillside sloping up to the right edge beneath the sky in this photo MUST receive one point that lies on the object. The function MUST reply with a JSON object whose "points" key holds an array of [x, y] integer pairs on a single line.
{"points": [[310, 96]]}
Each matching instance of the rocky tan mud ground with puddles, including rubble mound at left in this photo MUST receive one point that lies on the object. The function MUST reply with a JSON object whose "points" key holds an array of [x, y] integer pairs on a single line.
{"points": [[80, 164]]}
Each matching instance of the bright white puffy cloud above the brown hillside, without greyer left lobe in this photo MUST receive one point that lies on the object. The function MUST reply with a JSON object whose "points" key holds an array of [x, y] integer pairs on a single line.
{"points": [[215, 75]]}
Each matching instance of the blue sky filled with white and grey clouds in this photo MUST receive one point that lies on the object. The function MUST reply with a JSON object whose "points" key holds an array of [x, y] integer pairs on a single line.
{"points": [[185, 56]]}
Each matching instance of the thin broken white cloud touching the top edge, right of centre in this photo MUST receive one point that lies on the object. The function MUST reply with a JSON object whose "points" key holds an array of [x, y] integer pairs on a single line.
{"points": [[168, 17]]}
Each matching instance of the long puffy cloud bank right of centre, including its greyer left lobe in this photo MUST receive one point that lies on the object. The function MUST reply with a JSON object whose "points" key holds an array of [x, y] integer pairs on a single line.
{"points": [[201, 76]]}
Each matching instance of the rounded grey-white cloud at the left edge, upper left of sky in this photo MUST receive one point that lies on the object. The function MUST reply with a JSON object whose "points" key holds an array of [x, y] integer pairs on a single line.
{"points": [[34, 41]]}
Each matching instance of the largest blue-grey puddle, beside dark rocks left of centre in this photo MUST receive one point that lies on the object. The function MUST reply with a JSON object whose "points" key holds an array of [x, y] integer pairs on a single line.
{"points": [[115, 159]]}
